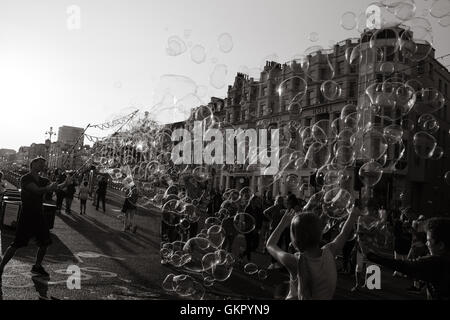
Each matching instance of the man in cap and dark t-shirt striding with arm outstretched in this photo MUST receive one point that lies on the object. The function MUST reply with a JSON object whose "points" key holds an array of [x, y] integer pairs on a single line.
{"points": [[31, 222]]}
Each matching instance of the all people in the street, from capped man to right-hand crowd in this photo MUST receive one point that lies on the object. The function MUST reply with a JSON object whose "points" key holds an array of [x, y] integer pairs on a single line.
{"points": [[296, 237]]}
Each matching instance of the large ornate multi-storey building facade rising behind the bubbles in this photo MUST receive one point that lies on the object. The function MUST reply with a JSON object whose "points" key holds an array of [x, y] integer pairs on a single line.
{"points": [[317, 87]]}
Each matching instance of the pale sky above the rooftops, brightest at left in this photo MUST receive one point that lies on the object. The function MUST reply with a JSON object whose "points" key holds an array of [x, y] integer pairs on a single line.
{"points": [[55, 72]]}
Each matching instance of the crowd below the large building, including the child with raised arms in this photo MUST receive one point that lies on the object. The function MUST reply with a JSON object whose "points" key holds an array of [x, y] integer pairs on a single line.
{"points": [[307, 244]]}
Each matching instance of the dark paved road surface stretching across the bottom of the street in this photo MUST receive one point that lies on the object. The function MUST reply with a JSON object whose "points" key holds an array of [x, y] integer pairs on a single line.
{"points": [[116, 265]]}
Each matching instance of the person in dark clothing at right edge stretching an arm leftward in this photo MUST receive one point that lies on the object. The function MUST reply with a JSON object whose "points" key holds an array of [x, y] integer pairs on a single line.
{"points": [[433, 269]]}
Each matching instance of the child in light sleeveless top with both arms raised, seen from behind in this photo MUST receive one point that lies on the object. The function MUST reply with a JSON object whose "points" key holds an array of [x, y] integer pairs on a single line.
{"points": [[312, 268]]}
